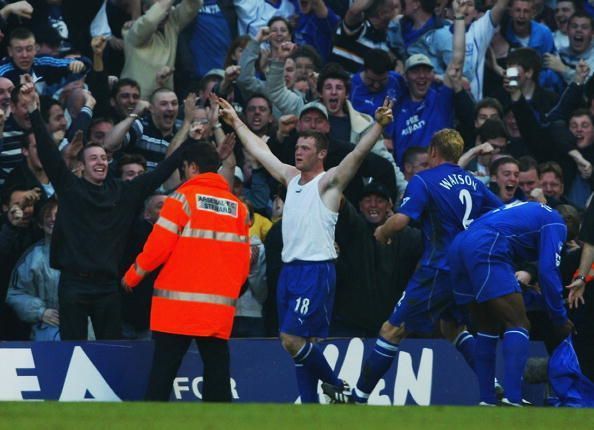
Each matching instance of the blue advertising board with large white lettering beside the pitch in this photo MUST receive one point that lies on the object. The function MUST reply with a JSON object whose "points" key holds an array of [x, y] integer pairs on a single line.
{"points": [[426, 372]]}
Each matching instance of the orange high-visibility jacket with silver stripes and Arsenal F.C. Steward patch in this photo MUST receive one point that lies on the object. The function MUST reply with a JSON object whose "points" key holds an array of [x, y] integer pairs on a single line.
{"points": [[202, 239]]}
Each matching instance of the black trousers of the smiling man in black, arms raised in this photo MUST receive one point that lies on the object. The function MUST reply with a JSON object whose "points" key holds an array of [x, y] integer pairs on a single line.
{"points": [[80, 299]]}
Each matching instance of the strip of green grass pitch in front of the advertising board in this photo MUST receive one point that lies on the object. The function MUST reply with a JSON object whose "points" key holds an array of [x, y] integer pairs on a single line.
{"points": [[137, 415]]}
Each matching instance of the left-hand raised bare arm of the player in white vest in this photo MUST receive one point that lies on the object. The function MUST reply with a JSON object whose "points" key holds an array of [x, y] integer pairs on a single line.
{"points": [[256, 146]]}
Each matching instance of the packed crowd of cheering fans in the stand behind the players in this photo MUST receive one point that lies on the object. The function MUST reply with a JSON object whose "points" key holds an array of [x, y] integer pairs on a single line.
{"points": [[140, 78]]}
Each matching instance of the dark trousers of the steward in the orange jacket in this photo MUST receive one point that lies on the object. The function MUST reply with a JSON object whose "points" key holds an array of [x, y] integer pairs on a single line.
{"points": [[169, 352]]}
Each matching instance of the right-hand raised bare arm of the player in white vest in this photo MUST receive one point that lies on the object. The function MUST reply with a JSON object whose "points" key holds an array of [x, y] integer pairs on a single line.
{"points": [[338, 177]]}
